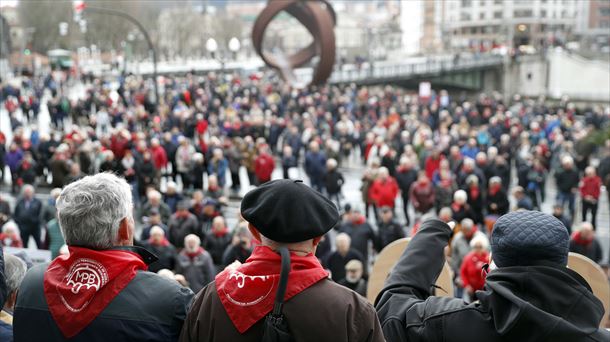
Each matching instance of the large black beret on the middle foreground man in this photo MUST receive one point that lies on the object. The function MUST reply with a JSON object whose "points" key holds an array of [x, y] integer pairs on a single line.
{"points": [[289, 211]]}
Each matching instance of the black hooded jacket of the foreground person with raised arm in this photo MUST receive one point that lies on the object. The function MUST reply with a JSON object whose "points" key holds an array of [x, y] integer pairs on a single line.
{"points": [[521, 303]]}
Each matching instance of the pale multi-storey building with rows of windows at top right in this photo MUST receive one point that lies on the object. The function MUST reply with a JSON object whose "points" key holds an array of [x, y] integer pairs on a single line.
{"points": [[486, 24]]}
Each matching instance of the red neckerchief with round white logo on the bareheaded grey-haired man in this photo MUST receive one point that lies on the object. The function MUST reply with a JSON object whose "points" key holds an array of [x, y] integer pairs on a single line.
{"points": [[78, 287]]}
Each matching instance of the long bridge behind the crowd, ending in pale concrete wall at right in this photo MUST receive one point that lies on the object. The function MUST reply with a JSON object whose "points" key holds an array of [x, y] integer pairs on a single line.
{"points": [[554, 74]]}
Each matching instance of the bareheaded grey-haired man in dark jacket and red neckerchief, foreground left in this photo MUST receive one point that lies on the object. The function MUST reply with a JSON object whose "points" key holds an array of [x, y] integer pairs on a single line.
{"points": [[102, 289]]}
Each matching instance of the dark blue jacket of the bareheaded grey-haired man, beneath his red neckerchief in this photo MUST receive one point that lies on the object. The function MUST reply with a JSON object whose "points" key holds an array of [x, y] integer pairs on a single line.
{"points": [[150, 308]]}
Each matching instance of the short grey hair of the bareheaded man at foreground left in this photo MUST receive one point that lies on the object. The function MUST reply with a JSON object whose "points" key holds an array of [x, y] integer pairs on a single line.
{"points": [[90, 210]]}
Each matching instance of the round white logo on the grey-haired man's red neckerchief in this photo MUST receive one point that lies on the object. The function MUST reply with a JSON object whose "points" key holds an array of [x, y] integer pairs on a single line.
{"points": [[86, 273]]}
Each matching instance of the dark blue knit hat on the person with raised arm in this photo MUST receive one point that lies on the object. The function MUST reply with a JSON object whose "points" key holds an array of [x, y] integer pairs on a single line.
{"points": [[525, 238]]}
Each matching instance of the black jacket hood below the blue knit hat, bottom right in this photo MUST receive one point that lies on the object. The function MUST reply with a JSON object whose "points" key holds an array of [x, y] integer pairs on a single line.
{"points": [[539, 303]]}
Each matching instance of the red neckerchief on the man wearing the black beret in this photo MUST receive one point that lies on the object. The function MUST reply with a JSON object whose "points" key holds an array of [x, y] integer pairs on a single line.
{"points": [[248, 292]]}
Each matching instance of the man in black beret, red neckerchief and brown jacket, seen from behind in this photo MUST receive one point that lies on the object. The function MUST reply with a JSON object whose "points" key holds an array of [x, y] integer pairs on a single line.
{"points": [[282, 213]]}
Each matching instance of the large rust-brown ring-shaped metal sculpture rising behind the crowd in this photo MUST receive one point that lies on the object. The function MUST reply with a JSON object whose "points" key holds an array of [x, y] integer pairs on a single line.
{"points": [[319, 19]]}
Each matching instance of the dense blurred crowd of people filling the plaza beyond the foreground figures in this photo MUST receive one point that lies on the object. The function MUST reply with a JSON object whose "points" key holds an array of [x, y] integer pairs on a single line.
{"points": [[458, 159]]}
